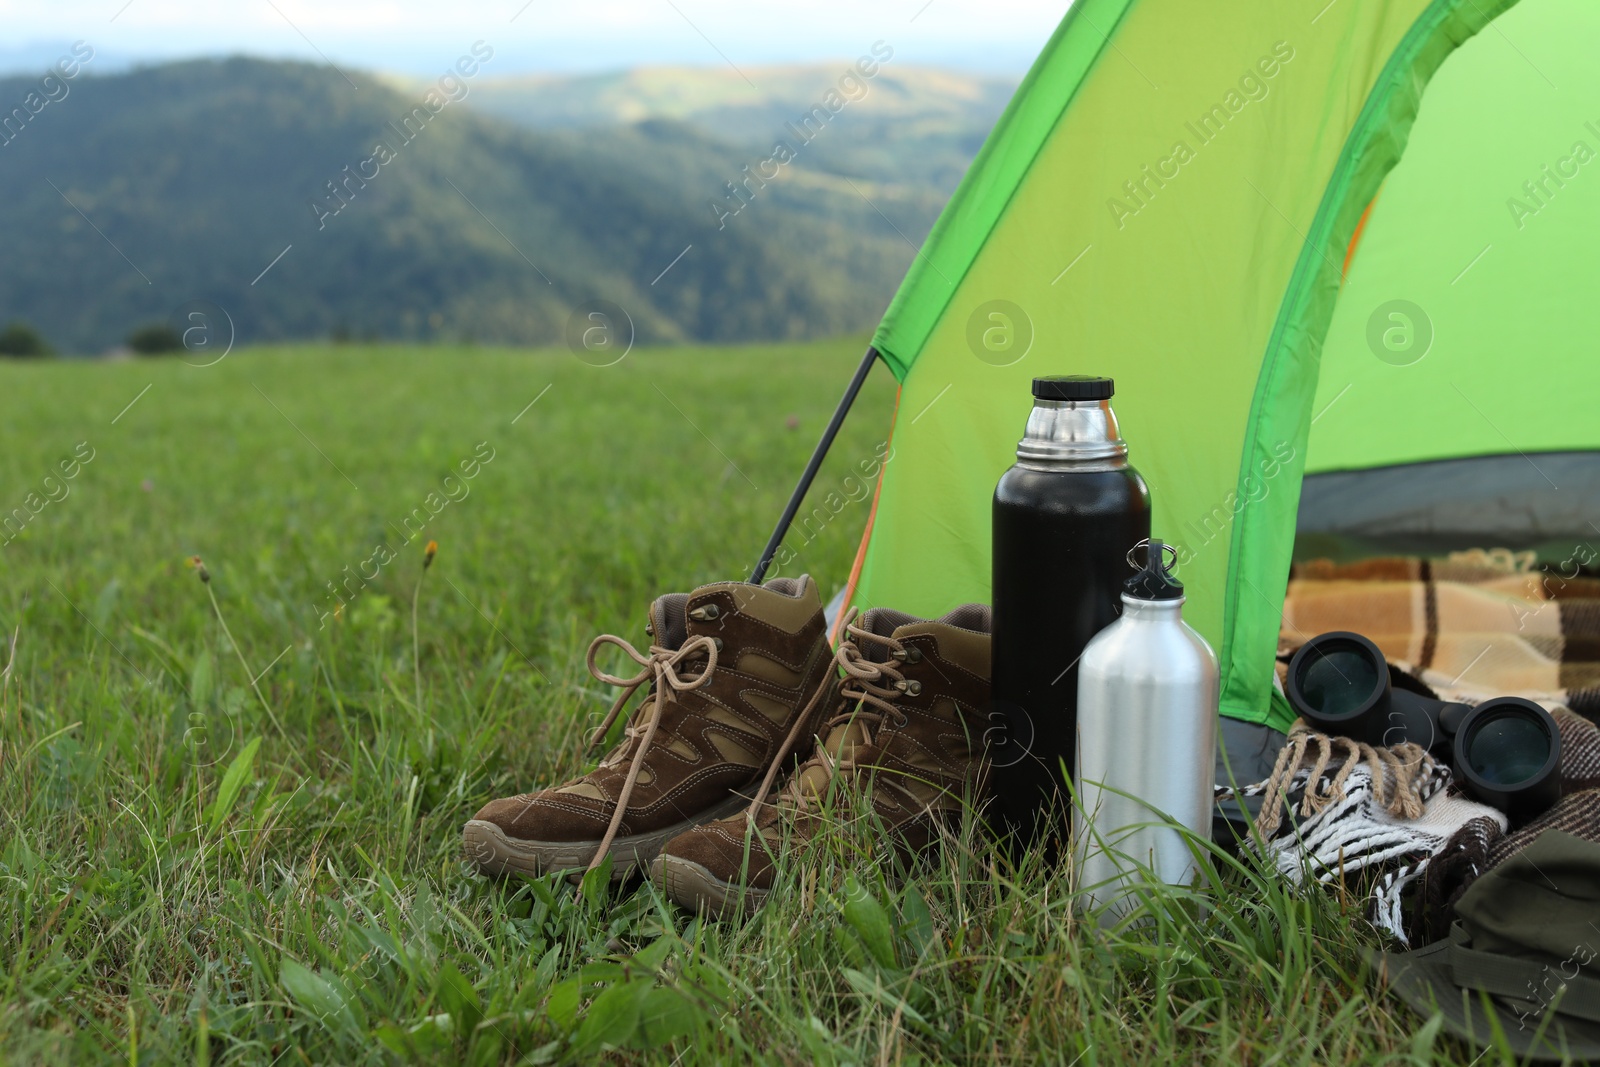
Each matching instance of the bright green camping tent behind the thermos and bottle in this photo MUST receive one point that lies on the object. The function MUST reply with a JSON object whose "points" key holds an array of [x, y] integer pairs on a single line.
{"points": [[1310, 236]]}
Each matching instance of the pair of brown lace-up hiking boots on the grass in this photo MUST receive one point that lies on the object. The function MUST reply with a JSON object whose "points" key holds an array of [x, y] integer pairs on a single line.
{"points": [[743, 685]]}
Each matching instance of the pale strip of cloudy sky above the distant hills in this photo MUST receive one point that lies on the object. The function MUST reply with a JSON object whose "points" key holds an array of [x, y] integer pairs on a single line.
{"points": [[530, 36]]}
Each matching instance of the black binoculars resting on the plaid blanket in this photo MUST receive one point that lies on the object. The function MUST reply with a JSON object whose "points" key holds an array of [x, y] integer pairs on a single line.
{"points": [[1505, 753]]}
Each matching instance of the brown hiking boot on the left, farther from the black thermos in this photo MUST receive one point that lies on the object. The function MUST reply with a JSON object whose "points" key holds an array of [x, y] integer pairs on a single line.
{"points": [[735, 674]]}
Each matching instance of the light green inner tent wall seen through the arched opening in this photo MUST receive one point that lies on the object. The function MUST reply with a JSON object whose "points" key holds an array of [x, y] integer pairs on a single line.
{"points": [[1489, 228]]}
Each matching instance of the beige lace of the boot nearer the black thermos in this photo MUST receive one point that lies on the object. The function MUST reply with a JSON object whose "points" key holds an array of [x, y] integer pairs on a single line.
{"points": [[868, 697]]}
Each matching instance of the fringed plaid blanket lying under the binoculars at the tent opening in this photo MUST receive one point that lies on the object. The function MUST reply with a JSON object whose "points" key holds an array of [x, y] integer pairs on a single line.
{"points": [[1470, 628]]}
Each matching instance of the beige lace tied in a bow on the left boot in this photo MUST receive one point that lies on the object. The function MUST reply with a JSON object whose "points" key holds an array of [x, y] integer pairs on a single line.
{"points": [[662, 669]]}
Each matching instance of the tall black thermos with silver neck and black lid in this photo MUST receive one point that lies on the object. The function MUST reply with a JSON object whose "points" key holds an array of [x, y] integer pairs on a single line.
{"points": [[1065, 521]]}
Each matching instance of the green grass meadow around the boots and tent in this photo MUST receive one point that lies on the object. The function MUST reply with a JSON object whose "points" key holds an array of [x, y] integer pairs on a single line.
{"points": [[191, 874]]}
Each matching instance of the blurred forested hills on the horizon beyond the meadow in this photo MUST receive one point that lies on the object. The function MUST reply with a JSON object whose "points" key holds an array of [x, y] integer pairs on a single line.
{"points": [[502, 215]]}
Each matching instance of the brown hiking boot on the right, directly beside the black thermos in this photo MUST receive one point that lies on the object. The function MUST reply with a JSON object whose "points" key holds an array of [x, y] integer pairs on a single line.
{"points": [[906, 735]]}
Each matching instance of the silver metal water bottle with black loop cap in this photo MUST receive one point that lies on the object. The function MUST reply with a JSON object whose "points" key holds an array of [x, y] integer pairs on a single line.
{"points": [[1148, 703]]}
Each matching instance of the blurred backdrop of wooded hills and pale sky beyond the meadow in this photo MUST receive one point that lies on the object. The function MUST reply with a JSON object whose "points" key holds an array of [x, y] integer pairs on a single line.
{"points": [[476, 172]]}
